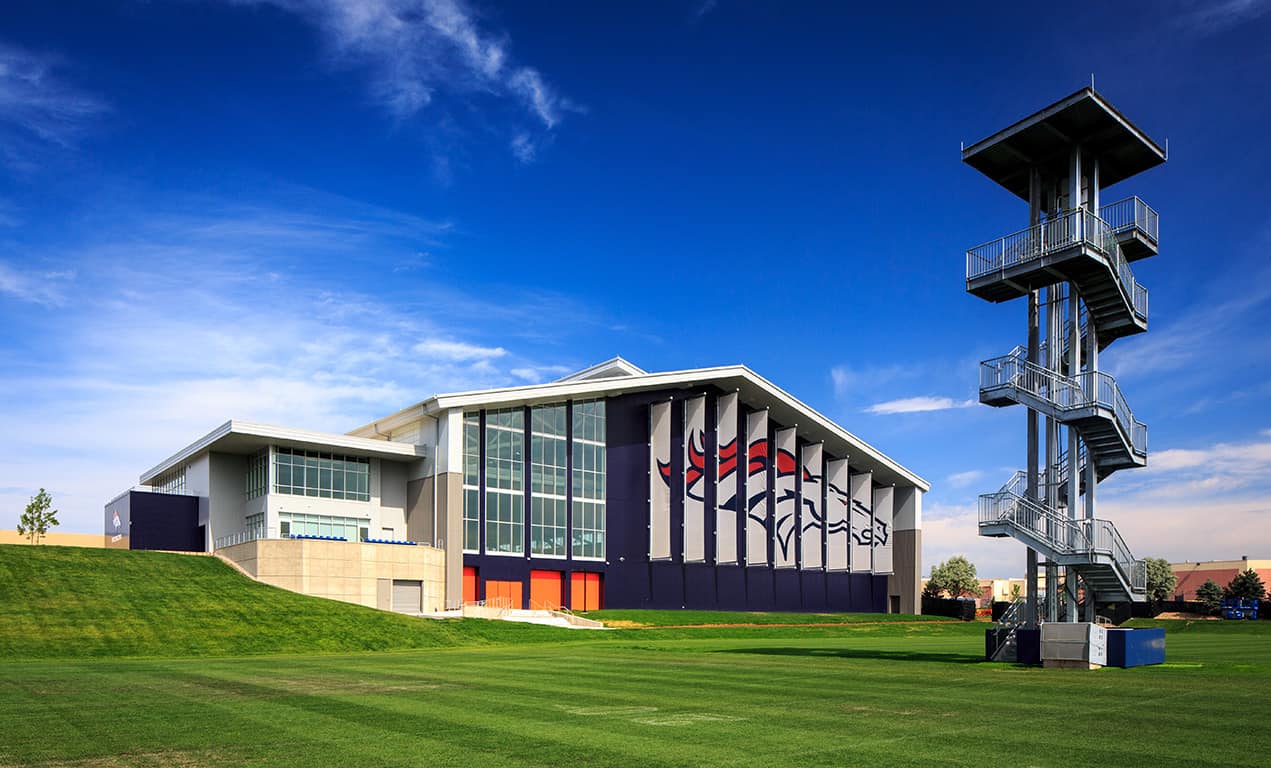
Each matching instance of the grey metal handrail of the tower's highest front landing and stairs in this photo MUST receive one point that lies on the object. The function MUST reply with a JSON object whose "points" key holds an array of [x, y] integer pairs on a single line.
{"points": [[1076, 227]]}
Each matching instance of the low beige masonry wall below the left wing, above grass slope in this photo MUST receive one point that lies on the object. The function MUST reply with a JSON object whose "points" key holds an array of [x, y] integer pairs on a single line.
{"points": [[348, 572]]}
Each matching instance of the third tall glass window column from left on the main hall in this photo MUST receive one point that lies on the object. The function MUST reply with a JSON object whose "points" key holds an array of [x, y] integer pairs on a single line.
{"points": [[548, 471]]}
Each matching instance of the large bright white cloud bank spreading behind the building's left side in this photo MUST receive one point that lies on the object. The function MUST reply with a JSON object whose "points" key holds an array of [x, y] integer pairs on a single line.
{"points": [[179, 320]]}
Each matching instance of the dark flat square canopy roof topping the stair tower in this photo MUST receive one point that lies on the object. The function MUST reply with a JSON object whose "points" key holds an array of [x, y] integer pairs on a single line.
{"points": [[1045, 139]]}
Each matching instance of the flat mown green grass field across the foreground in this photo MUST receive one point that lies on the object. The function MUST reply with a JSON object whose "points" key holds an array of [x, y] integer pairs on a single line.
{"points": [[848, 694]]}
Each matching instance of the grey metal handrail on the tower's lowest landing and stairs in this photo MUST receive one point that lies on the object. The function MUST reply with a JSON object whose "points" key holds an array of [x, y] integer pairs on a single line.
{"points": [[1062, 535]]}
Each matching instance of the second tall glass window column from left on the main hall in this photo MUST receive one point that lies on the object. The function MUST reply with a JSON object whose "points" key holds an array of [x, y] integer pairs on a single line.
{"points": [[505, 481]]}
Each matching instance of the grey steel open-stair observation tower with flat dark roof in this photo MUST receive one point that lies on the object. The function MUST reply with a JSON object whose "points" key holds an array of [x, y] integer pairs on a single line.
{"points": [[1073, 268]]}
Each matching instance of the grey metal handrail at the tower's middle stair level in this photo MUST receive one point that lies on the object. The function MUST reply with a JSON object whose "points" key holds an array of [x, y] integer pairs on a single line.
{"points": [[1066, 394]]}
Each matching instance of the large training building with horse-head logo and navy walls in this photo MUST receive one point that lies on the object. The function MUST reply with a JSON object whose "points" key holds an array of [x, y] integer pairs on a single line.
{"points": [[613, 488]]}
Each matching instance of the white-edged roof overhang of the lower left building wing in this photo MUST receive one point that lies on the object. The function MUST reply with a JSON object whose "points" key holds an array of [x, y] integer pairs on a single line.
{"points": [[245, 438]]}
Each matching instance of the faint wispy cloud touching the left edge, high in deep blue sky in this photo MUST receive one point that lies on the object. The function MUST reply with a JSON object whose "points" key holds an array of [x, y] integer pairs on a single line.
{"points": [[37, 109]]}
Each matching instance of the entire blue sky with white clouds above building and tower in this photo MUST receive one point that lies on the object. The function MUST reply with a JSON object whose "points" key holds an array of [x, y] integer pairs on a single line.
{"points": [[315, 213]]}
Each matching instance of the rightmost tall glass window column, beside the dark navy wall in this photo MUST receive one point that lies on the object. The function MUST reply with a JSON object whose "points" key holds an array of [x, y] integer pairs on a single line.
{"points": [[588, 475]]}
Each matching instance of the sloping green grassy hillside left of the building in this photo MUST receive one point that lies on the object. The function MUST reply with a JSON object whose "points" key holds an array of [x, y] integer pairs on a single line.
{"points": [[67, 602]]}
